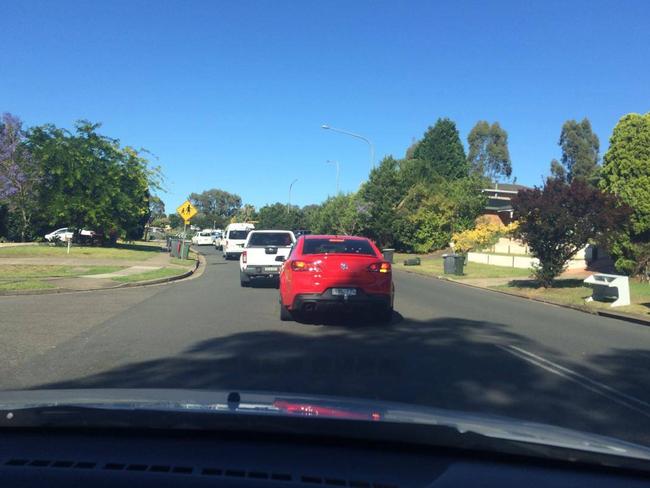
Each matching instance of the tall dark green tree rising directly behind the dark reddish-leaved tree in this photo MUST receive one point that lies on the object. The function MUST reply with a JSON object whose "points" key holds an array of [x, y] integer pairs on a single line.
{"points": [[580, 147]]}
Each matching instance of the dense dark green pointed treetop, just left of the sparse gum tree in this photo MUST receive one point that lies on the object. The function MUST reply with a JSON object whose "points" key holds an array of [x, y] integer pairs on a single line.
{"points": [[442, 149]]}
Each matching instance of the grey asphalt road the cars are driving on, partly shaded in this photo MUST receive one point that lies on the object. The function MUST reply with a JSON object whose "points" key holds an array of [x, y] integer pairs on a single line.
{"points": [[448, 346]]}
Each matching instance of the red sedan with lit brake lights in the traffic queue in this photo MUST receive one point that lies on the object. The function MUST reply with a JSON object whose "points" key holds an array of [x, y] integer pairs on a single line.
{"points": [[323, 272]]}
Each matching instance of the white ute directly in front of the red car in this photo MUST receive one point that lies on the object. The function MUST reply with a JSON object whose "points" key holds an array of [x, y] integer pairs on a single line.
{"points": [[264, 253]]}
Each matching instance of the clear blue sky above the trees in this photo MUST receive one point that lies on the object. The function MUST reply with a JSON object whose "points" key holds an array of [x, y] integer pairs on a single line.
{"points": [[232, 94]]}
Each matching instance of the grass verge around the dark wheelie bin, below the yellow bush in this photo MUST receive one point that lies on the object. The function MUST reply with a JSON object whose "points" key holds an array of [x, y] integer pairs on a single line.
{"points": [[432, 265]]}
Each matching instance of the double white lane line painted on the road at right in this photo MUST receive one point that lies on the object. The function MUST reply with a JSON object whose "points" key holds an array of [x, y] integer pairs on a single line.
{"points": [[597, 387]]}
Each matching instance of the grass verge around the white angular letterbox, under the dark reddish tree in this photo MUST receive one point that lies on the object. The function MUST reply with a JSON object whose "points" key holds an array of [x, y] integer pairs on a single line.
{"points": [[573, 292]]}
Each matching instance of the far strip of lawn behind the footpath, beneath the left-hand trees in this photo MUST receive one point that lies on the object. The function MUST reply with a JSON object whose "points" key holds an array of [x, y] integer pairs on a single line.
{"points": [[120, 251]]}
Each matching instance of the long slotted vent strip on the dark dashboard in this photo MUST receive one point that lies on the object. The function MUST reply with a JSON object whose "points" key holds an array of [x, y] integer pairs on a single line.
{"points": [[257, 475]]}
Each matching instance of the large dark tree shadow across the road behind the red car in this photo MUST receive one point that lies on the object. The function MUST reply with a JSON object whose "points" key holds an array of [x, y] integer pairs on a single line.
{"points": [[447, 363]]}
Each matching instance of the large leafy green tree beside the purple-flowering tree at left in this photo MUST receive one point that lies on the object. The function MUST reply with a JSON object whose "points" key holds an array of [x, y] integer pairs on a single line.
{"points": [[91, 181]]}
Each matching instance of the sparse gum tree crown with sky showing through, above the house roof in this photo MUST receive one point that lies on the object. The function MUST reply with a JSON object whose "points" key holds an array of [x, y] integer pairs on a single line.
{"points": [[488, 151]]}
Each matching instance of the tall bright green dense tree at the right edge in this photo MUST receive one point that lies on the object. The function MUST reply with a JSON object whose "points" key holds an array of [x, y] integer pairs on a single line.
{"points": [[626, 173]]}
